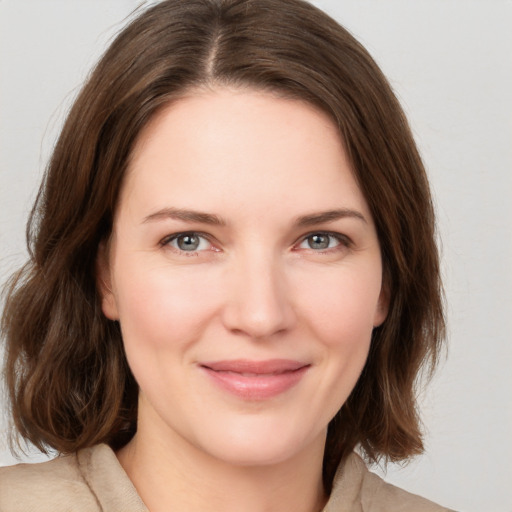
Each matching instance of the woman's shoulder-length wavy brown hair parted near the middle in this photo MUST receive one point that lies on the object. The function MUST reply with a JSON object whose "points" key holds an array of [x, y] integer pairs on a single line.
{"points": [[68, 381]]}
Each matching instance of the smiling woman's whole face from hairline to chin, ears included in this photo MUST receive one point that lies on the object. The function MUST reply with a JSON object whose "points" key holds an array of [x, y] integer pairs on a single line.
{"points": [[245, 271]]}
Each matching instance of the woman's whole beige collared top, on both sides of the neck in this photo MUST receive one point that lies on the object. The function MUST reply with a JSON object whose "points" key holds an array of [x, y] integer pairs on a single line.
{"points": [[93, 481]]}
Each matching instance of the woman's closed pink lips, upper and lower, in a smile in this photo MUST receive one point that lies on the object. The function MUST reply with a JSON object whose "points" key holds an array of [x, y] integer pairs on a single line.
{"points": [[255, 380]]}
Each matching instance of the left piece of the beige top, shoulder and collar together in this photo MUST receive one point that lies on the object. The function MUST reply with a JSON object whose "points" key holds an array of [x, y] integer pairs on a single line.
{"points": [[91, 480]]}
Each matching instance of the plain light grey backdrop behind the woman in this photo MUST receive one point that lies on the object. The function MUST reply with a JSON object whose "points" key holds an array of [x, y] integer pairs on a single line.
{"points": [[450, 63]]}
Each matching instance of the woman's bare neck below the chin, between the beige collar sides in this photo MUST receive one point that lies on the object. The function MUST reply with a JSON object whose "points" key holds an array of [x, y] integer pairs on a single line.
{"points": [[171, 474]]}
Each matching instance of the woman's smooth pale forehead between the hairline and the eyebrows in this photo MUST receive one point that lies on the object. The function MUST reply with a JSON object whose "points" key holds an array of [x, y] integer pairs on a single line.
{"points": [[241, 145]]}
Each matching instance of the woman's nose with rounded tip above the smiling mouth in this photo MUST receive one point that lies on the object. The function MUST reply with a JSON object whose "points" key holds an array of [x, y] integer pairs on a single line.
{"points": [[258, 304]]}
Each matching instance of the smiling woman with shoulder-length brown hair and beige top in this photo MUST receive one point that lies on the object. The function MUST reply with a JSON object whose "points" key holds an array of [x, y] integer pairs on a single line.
{"points": [[233, 279]]}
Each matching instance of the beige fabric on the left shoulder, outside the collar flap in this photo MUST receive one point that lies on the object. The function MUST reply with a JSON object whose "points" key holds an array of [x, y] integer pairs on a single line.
{"points": [[55, 485]]}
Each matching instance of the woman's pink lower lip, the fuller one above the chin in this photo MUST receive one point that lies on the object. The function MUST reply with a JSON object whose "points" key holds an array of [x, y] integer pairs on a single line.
{"points": [[256, 387]]}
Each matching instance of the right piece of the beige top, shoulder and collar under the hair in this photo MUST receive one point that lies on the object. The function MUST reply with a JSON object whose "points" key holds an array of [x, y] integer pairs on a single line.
{"points": [[367, 492]]}
